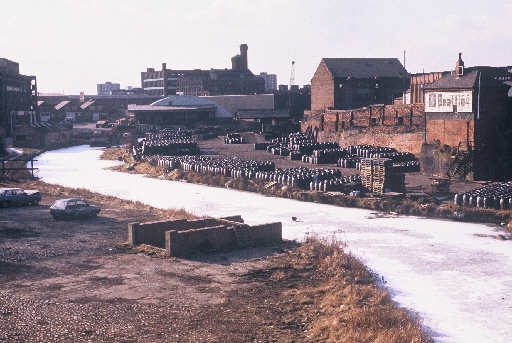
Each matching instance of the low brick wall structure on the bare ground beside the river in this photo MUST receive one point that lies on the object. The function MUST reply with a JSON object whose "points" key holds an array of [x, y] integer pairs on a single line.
{"points": [[186, 237]]}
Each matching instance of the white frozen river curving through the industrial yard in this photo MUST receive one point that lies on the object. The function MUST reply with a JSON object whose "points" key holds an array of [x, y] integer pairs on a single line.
{"points": [[458, 282]]}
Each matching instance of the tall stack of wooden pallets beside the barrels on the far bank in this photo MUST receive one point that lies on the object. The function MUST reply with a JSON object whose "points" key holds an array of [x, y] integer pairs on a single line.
{"points": [[377, 176]]}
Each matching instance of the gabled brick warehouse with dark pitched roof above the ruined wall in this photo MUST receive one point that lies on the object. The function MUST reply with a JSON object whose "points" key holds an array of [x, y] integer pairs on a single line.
{"points": [[348, 83]]}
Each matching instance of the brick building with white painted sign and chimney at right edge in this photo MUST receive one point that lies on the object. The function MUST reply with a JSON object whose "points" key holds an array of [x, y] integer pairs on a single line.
{"points": [[470, 109]]}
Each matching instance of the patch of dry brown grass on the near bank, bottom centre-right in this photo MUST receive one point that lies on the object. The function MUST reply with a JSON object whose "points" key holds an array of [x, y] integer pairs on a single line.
{"points": [[343, 303]]}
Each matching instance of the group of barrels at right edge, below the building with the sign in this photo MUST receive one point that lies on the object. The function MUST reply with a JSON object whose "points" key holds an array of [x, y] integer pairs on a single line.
{"points": [[496, 196]]}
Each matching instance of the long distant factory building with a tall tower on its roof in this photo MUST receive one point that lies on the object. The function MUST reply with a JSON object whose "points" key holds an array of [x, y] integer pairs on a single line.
{"points": [[237, 80]]}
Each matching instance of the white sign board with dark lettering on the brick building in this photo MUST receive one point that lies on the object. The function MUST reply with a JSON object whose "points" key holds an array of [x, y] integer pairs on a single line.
{"points": [[459, 102]]}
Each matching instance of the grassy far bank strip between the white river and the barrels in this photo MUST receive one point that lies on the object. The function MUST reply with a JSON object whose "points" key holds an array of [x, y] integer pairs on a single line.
{"points": [[420, 206]]}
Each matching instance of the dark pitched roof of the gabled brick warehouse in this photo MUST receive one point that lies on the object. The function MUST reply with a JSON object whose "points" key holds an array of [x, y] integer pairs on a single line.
{"points": [[365, 67]]}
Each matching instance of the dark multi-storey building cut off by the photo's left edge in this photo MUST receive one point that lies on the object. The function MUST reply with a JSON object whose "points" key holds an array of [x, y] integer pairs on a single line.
{"points": [[18, 97]]}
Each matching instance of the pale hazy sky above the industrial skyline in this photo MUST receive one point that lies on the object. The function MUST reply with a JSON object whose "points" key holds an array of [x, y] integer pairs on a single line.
{"points": [[72, 45]]}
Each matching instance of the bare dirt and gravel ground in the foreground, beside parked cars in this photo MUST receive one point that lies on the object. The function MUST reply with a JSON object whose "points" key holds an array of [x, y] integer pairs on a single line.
{"points": [[76, 281]]}
